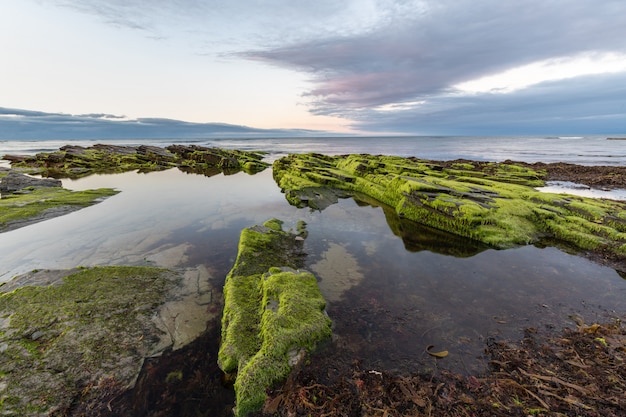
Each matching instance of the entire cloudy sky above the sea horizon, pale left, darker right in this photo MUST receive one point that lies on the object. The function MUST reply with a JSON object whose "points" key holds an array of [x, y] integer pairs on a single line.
{"points": [[372, 67]]}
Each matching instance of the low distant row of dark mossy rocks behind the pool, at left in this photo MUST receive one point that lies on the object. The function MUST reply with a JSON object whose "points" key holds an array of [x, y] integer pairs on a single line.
{"points": [[73, 161]]}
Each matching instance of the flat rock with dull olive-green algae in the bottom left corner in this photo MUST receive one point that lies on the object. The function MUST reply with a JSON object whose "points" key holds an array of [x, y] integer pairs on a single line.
{"points": [[64, 337]]}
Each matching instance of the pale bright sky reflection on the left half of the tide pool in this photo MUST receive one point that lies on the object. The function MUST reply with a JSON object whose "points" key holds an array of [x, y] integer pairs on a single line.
{"points": [[142, 221]]}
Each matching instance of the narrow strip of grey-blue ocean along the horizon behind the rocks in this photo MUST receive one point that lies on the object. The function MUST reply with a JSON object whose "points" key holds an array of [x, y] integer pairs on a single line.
{"points": [[583, 150]]}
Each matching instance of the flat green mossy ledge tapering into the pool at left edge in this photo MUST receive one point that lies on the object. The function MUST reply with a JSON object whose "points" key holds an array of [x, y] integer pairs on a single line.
{"points": [[27, 206]]}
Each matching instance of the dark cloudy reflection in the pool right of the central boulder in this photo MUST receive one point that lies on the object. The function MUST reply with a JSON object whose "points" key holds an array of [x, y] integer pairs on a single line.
{"points": [[397, 302]]}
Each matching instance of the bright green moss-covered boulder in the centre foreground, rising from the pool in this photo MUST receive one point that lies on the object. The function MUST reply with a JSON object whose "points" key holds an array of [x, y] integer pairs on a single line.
{"points": [[273, 312]]}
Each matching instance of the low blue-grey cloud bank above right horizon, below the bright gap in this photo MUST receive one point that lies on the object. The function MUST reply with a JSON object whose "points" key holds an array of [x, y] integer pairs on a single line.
{"points": [[589, 104]]}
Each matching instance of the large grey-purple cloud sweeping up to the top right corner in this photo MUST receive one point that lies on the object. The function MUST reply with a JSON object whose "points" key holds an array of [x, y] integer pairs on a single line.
{"points": [[424, 54]]}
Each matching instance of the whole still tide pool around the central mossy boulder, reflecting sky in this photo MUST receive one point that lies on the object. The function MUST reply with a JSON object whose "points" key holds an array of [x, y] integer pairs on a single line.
{"points": [[393, 287]]}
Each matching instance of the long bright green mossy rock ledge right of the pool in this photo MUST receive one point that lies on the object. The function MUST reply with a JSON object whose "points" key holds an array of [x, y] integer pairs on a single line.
{"points": [[494, 203]]}
